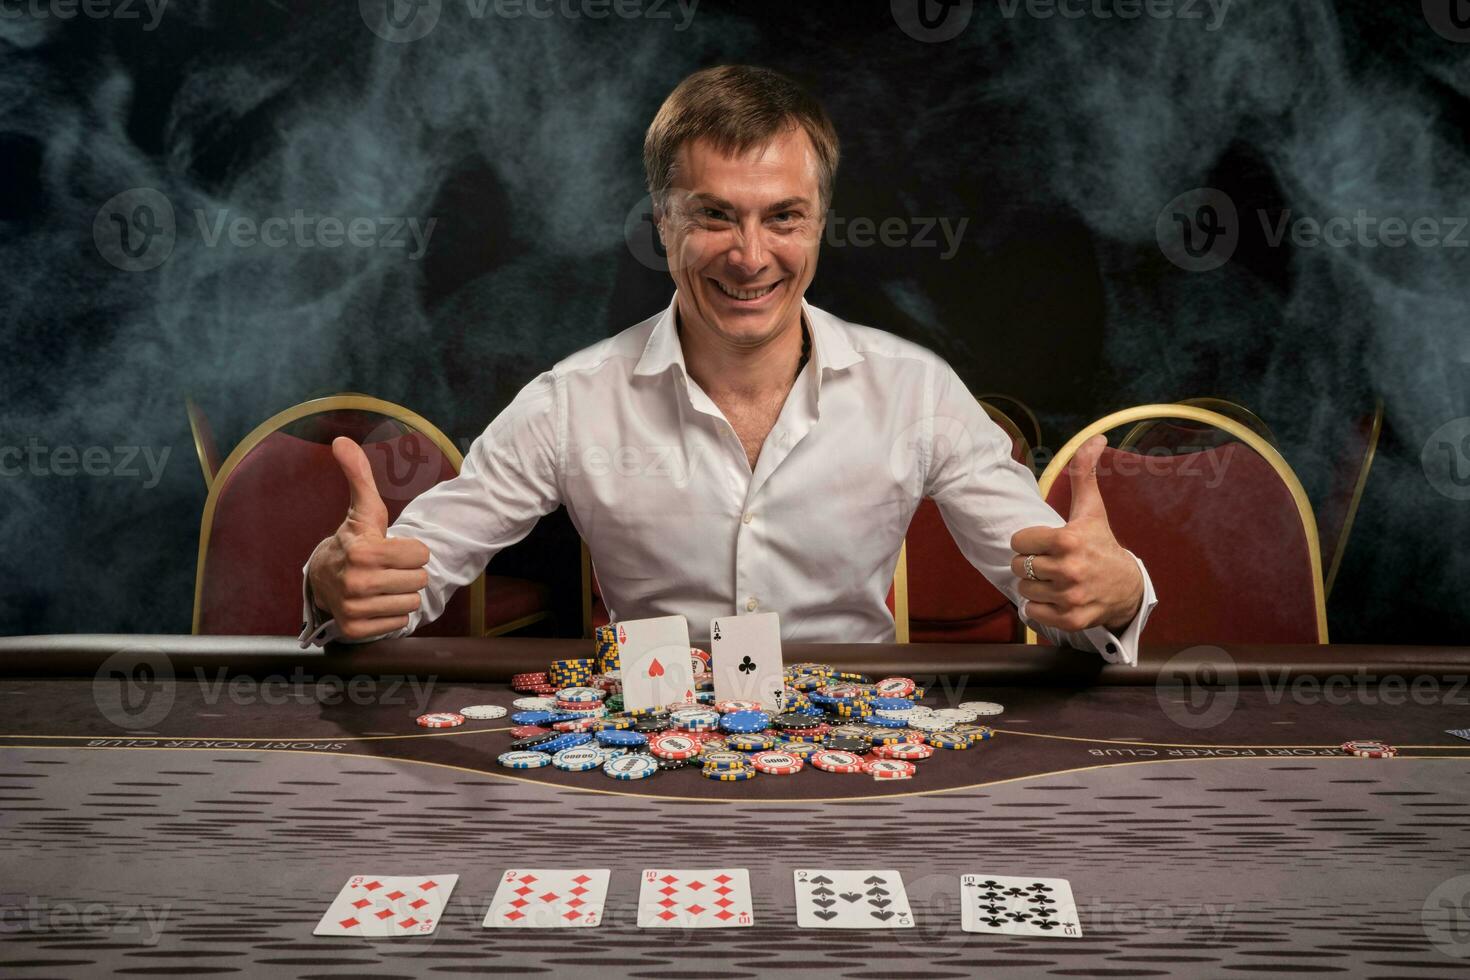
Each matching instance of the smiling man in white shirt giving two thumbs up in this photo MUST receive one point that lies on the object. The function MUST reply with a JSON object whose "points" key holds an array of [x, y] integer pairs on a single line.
{"points": [[743, 450]]}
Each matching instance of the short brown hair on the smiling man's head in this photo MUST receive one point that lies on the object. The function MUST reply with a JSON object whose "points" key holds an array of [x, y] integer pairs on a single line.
{"points": [[736, 108]]}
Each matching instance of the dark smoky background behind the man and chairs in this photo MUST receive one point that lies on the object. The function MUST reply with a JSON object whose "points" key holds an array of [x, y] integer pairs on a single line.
{"points": [[1061, 140]]}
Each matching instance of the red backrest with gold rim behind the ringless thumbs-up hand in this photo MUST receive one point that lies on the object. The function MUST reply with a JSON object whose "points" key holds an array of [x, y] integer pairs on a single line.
{"points": [[279, 496]]}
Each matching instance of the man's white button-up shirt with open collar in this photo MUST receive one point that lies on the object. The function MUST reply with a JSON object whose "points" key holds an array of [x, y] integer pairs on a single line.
{"points": [[661, 489]]}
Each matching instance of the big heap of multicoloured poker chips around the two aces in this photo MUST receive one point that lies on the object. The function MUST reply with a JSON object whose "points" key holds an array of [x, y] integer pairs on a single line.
{"points": [[831, 721]]}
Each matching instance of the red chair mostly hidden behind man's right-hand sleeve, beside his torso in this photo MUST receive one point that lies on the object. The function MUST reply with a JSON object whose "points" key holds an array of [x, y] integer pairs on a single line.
{"points": [[949, 600]]}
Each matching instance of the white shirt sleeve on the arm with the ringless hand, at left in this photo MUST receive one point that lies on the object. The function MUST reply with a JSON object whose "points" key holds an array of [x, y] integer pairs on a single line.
{"points": [[511, 480]]}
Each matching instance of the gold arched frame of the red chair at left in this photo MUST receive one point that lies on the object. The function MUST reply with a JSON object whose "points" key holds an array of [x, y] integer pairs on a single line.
{"points": [[337, 403]]}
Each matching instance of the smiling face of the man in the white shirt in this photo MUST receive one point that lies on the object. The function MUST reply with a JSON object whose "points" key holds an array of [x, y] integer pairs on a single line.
{"points": [[743, 237]]}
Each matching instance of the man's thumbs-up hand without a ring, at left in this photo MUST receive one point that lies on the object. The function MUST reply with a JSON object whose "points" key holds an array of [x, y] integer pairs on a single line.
{"points": [[365, 580]]}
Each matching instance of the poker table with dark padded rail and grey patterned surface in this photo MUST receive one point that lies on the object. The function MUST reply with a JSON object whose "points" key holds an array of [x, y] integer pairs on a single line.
{"points": [[189, 806]]}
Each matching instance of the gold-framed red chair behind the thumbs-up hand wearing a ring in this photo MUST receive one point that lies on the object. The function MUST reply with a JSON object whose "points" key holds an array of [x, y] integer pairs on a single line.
{"points": [[1227, 533]]}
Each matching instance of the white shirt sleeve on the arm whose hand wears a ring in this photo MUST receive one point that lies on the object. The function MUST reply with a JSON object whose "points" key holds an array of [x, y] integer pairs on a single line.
{"points": [[986, 497]]}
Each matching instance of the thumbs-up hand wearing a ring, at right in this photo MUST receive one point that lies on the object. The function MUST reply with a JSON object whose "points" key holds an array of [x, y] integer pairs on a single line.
{"points": [[1083, 577]]}
